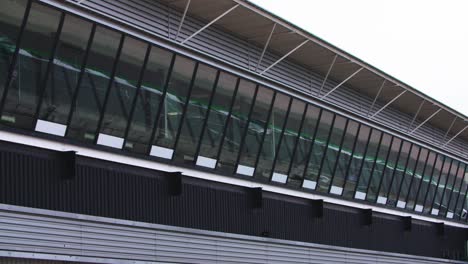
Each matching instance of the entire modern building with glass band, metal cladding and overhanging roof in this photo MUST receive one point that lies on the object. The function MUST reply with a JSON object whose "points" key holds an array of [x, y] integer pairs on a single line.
{"points": [[203, 131]]}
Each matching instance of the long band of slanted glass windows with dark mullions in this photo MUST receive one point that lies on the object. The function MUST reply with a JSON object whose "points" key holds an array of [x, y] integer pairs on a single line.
{"points": [[70, 77]]}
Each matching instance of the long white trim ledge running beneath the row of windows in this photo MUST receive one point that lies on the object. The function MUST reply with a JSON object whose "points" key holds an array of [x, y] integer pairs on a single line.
{"points": [[142, 163]]}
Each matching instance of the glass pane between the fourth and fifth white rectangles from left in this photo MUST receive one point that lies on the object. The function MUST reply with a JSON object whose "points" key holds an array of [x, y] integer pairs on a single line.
{"points": [[236, 127]]}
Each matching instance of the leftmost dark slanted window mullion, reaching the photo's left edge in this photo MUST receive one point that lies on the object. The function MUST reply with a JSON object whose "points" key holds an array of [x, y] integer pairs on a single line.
{"points": [[14, 58]]}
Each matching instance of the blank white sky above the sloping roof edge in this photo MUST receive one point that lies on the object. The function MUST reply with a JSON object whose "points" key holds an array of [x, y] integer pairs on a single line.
{"points": [[423, 43]]}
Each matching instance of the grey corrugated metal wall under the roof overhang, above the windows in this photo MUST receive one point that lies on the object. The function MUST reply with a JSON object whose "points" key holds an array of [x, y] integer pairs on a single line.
{"points": [[162, 20]]}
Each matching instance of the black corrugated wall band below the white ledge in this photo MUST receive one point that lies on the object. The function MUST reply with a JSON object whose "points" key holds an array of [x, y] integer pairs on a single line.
{"points": [[33, 178]]}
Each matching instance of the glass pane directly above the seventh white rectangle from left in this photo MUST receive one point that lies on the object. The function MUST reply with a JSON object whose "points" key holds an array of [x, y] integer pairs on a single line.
{"points": [[319, 146]]}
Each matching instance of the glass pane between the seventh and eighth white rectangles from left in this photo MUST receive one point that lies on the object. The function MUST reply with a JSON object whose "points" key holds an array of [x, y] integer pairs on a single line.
{"points": [[331, 154]]}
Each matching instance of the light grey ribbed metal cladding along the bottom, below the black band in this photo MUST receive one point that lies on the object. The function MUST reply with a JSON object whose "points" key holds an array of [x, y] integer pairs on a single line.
{"points": [[65, 236]]}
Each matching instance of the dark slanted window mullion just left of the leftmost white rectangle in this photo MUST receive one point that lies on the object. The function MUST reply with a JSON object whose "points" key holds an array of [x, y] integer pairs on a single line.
{"points": [[50, 66]]}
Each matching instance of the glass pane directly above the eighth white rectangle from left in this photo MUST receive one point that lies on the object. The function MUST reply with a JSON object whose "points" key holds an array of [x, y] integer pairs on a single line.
{"points": [[345, 155]]}
